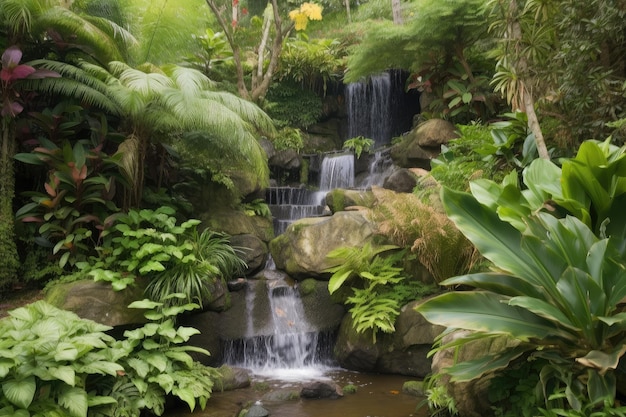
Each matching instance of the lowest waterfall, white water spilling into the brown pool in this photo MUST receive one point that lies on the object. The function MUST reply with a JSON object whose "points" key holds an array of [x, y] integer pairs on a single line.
{"points": [[290, 347]]}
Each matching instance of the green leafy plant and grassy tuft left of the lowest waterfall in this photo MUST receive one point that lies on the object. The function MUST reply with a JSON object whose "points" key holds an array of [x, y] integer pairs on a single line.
{"points": [[176, 257]]}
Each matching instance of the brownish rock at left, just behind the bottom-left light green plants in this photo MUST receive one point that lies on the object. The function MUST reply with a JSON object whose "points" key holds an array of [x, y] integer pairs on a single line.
{"points": [[98, 301]]}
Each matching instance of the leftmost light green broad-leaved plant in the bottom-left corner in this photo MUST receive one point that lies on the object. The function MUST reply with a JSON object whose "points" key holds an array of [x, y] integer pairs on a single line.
{"points": [[49, 359]]}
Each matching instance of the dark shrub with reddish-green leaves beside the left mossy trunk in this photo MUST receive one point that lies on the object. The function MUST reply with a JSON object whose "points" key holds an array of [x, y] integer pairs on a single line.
{"points": [[78, 196]]}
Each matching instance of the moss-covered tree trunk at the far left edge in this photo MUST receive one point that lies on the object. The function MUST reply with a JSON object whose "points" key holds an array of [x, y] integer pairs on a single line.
{"points": [[8, 248]]}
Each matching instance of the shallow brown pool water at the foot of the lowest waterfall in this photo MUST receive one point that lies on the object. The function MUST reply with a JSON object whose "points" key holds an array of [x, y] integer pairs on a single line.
{"points": [[376, 396]]}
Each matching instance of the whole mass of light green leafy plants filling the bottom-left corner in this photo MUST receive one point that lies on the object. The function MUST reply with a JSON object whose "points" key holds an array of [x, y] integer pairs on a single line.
{"points": [[57, 364]]}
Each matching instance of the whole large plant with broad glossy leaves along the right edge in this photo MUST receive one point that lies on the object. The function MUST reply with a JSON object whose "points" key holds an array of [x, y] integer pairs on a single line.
{"points": [[557, 281]]}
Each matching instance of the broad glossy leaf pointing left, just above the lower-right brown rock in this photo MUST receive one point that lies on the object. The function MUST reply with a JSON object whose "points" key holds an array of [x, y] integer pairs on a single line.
{"points": [[488, 313]]}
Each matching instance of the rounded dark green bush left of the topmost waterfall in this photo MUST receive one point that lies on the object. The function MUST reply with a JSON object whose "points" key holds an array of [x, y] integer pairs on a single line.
{"points": [[290, 105]]}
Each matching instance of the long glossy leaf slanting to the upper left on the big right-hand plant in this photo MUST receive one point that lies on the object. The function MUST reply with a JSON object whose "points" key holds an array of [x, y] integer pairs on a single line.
{"points": [[496, 240]]}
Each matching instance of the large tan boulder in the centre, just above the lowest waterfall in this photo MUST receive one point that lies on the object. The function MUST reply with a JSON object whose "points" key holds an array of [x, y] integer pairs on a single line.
{"points": [[303, 249]]}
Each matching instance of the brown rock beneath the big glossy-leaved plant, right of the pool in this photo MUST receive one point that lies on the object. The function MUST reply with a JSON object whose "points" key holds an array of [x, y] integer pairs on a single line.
{"points": [[471, 397]]}
